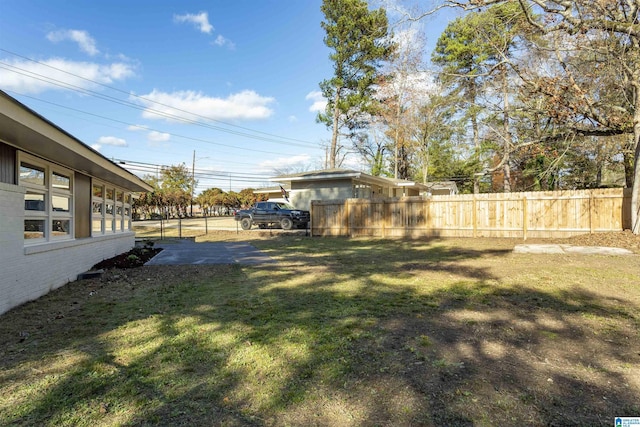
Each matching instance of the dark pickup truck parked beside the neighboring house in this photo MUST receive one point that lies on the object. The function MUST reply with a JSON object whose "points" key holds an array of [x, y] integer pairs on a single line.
{"points": [[266, 214]]}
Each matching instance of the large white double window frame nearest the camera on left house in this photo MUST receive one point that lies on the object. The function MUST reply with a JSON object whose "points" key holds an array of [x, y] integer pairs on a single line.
{"points": [[64, 220]]}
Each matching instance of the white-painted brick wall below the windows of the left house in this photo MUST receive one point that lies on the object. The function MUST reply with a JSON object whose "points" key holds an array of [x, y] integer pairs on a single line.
{"points": [[28, 272]]}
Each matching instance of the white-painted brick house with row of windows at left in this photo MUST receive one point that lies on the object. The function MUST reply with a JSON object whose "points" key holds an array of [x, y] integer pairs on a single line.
{"points": [[63, 206]]}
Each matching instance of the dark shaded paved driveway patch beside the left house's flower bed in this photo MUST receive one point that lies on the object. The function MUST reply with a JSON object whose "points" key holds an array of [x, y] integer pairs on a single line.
{"points": [[184, 252]]}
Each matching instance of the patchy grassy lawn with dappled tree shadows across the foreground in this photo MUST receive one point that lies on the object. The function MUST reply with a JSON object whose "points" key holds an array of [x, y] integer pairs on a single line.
{"points": [[337, 332]]}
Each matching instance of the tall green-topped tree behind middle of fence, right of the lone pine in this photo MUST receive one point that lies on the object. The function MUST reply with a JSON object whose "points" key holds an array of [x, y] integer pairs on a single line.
{"points": [[474, 53]]}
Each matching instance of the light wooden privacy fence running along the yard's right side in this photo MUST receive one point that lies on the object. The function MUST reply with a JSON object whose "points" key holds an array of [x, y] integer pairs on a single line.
{"points": [[544, 214]]}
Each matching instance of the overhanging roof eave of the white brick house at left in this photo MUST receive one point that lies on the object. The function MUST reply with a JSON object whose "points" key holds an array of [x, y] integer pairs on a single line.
{"points": [[28, 131]]}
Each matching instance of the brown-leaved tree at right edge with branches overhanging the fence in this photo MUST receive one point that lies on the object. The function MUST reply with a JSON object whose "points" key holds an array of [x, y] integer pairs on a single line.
{"points": [[609, 32]]}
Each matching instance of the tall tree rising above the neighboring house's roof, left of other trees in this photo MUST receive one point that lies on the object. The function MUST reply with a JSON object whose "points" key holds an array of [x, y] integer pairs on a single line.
{"points": [[358, 39]]}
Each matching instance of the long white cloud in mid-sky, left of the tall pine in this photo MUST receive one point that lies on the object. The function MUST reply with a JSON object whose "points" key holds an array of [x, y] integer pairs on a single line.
{"points": [[245, 105]]}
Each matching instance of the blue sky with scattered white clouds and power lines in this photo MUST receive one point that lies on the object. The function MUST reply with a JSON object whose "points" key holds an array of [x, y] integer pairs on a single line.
{"points": [[234, 84]]}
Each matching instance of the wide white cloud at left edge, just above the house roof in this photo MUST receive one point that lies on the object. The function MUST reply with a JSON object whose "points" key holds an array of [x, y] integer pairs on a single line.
{"points": [[34, 77]]}
